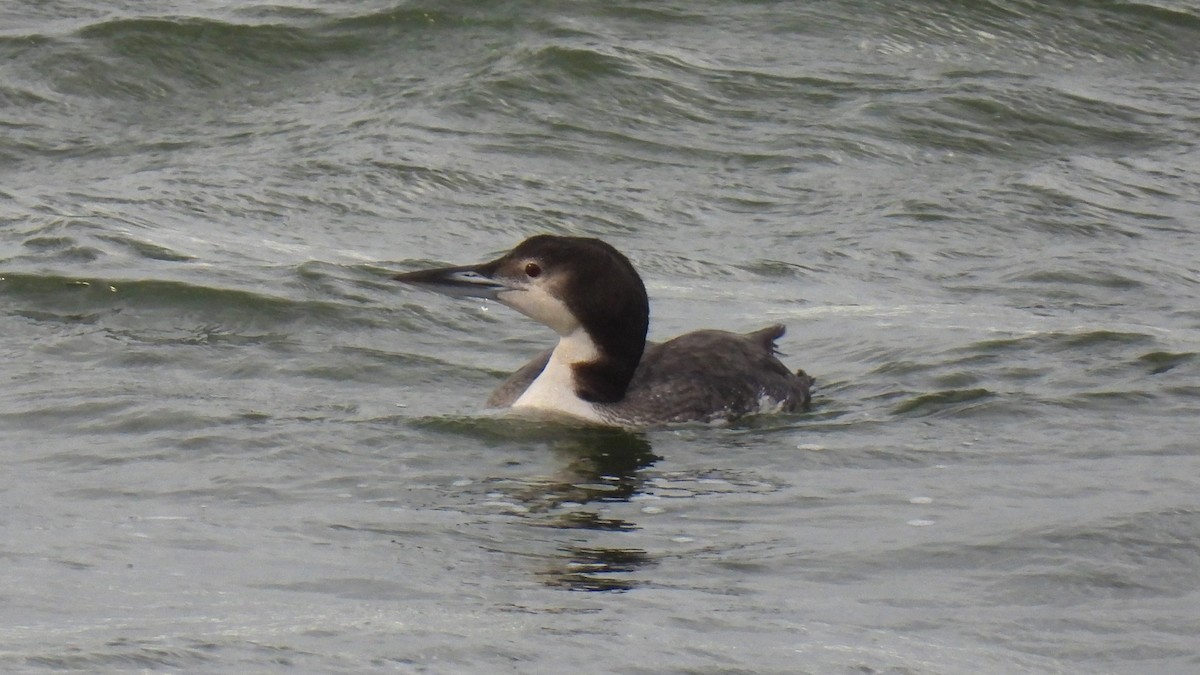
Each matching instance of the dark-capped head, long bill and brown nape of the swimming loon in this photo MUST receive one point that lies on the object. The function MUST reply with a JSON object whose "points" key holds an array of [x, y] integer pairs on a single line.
{"points": [[584, 289]]}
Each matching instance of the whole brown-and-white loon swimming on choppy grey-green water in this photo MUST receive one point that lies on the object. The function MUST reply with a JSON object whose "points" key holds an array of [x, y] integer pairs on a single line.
{"points": [[603, 369]]}
